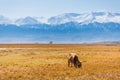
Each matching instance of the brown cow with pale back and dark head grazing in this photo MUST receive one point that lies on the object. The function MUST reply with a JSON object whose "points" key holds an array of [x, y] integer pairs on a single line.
{"points": [[73, 59]]}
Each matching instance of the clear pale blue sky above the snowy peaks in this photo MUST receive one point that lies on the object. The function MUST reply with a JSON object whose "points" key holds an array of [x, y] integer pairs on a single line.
{"points": [[47, 8]]}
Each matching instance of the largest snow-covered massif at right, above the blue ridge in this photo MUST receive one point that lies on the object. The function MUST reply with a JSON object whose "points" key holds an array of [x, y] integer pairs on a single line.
{"points": [[101, 17]]}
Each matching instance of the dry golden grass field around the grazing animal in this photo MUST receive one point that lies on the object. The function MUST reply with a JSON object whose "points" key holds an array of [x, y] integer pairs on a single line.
{"points": [[49, 62]]}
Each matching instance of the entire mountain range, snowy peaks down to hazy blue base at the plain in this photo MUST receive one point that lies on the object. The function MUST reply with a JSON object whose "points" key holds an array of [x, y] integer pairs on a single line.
{"points": [[64, 28]]}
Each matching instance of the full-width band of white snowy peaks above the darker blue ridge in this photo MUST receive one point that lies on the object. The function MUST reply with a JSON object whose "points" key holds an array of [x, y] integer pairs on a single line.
{"points": [[82, 18]]}
